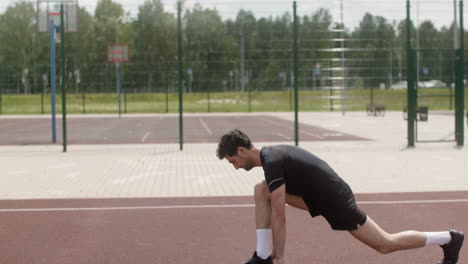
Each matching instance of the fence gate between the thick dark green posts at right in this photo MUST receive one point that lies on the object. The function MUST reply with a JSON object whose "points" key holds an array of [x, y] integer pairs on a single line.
{"points": [[435, 95]]}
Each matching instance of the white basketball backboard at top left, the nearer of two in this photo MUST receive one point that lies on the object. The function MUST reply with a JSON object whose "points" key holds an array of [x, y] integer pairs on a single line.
{"points": [[48, 10]]}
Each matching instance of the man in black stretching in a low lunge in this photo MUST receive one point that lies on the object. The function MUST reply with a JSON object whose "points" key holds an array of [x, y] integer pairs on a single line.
{"points": [[302, 180]]}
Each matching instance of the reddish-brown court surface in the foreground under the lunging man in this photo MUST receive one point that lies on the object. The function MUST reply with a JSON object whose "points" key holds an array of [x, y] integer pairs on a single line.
{"points": [[209, 230]]}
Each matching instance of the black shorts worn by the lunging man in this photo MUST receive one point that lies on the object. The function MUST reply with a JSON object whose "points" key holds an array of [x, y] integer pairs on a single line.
{"points": [[344, 215]]}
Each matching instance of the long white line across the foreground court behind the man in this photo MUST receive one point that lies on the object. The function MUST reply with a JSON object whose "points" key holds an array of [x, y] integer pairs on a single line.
{"points": [[209, 206]]}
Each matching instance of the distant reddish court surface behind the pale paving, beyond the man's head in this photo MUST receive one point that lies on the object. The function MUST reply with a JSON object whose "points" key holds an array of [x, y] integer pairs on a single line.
{"points": [[159, 129]]}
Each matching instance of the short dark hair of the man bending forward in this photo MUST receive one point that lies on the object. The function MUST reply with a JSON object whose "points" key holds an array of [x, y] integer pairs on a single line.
{"points": [[229, 143]]}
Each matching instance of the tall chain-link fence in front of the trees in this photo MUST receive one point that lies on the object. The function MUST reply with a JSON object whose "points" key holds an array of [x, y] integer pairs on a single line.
{"points": [[237, 57]]}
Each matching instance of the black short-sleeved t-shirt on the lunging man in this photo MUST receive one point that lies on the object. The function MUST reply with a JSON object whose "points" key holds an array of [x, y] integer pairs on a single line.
{"points": [[304, 175]]}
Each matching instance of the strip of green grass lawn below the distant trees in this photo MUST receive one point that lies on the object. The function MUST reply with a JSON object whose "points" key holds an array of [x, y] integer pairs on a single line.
{"points": [[258, 101]]}
